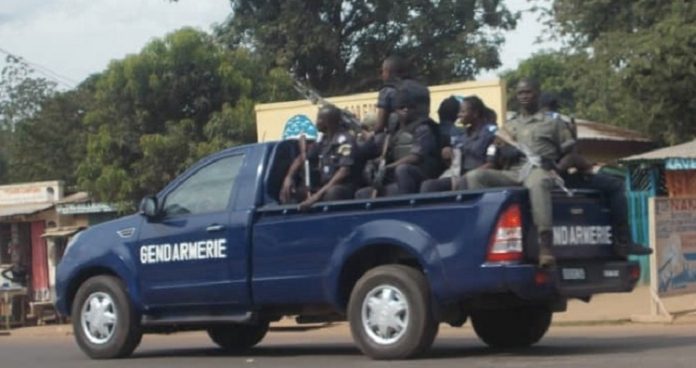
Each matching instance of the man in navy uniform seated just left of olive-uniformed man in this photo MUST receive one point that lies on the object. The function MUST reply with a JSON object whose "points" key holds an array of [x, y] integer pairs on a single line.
{"points": [[471, 145]]}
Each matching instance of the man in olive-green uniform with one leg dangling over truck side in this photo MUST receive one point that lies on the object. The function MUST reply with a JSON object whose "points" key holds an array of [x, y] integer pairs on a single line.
{"points": [[541, 136]]}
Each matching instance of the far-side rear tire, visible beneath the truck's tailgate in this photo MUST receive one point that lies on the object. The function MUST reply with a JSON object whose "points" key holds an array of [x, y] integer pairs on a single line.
{"points": [[511, 328]]}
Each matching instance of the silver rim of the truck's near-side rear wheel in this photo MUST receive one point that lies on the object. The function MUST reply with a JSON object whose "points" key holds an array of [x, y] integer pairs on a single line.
{"points": [[385, 314]]}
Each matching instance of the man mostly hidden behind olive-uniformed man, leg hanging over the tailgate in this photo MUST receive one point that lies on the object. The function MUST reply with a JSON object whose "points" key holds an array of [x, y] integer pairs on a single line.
{"points": [[583, 177]]}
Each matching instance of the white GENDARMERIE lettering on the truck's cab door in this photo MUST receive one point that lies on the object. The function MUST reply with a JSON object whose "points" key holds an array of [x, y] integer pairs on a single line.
{"points": [[184, 251]]}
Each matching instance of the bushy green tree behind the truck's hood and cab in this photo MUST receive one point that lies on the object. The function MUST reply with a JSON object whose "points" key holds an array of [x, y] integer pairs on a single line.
{"points": [[157, 112]]}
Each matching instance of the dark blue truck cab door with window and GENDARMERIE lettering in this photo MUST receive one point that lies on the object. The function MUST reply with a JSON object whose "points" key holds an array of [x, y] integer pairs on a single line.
{"points": [[195, 253]]}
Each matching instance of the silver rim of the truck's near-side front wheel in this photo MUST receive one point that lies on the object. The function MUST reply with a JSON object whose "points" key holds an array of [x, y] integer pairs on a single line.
{"points": [[98, 318]]}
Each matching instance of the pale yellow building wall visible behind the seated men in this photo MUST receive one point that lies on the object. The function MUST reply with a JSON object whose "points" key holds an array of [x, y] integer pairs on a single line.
{"points": [[271, 118]]}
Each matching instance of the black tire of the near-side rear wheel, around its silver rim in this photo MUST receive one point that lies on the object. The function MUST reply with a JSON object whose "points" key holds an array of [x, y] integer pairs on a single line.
{"points": [[411, 287]]}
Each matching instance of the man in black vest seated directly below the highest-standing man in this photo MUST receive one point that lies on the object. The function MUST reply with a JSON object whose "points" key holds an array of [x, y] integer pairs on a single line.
{"points": [[412, 153]]}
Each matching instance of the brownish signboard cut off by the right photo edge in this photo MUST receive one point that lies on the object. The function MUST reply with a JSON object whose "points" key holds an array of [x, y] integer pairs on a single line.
{"points": [[673, 232]]}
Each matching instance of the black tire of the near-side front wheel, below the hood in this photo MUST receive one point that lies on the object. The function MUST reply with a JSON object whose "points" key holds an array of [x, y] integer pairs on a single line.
{"points": [[123, 334]]}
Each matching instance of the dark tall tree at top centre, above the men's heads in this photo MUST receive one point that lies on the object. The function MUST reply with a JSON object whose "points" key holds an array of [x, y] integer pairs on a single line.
{"points": [[338, 45]]}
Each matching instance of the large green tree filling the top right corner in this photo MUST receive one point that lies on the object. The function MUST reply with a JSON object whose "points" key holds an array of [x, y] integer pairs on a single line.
{"points": [[640, 63]]}
